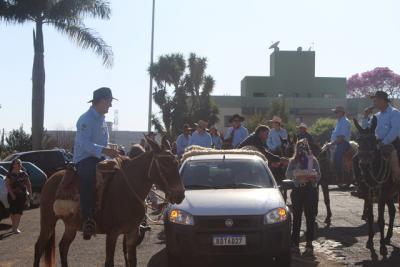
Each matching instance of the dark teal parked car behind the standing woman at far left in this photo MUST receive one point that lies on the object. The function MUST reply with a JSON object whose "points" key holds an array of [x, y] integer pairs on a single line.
{"points": [[36, 175]]}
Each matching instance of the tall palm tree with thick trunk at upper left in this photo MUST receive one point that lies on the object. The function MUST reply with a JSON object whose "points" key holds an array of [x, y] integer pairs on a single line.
{"points": [[67, 17]]}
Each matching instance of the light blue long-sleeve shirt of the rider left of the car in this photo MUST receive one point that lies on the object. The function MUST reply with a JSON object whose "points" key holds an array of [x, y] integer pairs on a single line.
{"points": [[91, 136]]}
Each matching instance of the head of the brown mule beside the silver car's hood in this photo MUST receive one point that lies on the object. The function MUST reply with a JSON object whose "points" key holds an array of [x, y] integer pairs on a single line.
{"points": [[164, 171]]}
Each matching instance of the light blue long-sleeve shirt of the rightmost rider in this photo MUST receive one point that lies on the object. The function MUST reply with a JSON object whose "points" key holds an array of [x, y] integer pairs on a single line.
{"points": [[388, 125]]}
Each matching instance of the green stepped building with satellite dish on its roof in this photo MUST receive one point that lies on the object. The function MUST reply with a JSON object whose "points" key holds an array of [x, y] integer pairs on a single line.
{"points": [[292, 80]]}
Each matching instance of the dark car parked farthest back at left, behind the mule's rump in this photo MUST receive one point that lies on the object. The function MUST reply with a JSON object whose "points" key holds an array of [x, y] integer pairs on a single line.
{"points": [[49, 161]]}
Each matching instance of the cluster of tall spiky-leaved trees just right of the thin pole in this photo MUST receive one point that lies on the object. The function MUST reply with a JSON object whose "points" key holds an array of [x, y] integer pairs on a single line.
{"points": [[182, 92]]}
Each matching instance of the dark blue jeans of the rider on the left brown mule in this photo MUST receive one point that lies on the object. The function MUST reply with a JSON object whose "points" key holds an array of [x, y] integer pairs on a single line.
{"points": [[87, 172]]}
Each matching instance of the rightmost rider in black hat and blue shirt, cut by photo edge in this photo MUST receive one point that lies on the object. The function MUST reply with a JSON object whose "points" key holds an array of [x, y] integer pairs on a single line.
{"points": [[387, 130]]}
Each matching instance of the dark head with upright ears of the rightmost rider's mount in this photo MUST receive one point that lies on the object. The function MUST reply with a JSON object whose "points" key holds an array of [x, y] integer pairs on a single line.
{"points": [[367, 142]]}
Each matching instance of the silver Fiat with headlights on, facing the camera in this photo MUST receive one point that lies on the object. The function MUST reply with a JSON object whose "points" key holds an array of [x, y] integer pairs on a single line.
{"points": [[232, 208]]}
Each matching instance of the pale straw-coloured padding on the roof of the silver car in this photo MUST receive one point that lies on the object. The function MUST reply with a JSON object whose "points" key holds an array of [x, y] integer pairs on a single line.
{"points": [[198, 150]]}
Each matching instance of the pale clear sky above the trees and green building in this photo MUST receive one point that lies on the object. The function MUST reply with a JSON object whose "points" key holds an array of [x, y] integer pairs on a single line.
{"points": [[348, 37]]}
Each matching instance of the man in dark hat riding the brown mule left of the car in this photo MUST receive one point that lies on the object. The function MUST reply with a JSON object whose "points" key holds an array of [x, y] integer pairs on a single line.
{"points": [[90, 148]]}
